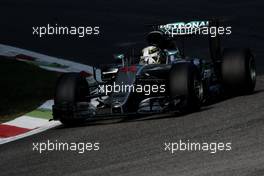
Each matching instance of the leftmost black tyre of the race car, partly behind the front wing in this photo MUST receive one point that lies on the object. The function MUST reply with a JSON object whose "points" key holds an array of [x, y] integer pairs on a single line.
{"points": [[71, 88]]}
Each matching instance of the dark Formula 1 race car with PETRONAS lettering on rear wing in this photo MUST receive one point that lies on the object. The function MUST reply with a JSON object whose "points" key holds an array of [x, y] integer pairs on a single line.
{"points": [[164, 80]]}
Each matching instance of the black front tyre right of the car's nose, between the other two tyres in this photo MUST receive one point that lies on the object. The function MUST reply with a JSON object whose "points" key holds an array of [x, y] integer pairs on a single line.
{"points": [[185, 85]]}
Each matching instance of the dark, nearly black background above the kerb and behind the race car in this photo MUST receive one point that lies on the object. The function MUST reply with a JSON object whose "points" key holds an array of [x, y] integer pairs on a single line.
{"points": [[123, 25]]}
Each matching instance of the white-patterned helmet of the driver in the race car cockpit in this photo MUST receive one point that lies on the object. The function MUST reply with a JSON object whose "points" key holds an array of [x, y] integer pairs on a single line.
{"points": [[150, 55]]}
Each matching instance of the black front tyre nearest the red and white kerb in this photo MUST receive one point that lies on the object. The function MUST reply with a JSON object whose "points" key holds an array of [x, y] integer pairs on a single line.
{"points": [[71, 90]]}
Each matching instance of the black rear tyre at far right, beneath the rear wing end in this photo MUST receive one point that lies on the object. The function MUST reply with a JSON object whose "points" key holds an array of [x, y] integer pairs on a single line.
{"points": [[238, 71]]}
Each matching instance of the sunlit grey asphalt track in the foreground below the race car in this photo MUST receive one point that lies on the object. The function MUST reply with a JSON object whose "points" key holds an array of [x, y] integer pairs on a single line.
{"points": [[136, 147]]}
